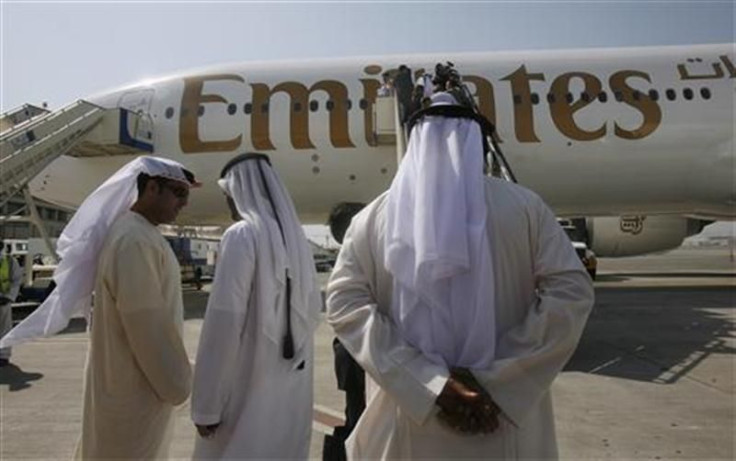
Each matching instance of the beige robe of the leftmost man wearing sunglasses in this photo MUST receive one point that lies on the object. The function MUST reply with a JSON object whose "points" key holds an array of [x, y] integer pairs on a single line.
{"points": [[137, 367]]}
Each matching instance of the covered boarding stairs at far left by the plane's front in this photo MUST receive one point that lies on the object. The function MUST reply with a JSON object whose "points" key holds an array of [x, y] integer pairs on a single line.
{"points": [[32, 137]]}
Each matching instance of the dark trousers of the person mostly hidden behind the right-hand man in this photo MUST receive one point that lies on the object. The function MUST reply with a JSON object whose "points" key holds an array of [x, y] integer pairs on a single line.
{"points": [[351, 379]]}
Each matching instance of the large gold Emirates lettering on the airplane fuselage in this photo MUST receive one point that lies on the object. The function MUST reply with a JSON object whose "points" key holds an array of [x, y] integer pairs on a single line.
{"points": [[562, 110]]}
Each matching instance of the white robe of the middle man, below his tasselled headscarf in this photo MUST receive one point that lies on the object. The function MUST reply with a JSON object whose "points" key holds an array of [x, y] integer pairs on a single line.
{"points": [[263, 401]]}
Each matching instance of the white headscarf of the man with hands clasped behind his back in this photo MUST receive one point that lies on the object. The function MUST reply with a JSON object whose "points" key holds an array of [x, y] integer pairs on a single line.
{"points": [[436, 246]]}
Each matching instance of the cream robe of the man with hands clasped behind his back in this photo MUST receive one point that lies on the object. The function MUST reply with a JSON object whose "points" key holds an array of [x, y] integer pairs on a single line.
{"points": [[542, 295]]}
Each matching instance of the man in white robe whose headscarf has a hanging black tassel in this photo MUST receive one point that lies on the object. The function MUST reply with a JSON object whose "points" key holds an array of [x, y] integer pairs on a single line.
{"points": [[252, 390]]}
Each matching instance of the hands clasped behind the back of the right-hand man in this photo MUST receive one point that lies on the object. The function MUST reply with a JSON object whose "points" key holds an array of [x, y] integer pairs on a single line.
{"points": [[466, 406]]}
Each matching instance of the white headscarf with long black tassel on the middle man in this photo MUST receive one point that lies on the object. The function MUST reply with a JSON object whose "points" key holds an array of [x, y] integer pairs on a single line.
{"points": [[244, 183]]}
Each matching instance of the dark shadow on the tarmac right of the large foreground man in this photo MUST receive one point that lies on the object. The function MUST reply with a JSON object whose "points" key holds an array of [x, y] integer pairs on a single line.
{"points": [[655, 334]]}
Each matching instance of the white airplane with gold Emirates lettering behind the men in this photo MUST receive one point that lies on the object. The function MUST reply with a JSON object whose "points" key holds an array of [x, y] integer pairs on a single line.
{"points": [[637, 141]]}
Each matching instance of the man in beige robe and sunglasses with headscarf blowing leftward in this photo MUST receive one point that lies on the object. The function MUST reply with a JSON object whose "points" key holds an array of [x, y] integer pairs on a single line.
{"points": [[137, 367]]}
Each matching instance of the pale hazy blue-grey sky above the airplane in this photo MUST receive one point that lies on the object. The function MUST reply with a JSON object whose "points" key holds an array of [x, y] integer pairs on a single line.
{"points": [[57, 52]]}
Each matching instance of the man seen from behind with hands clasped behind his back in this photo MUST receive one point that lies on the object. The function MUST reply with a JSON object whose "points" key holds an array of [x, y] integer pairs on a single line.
{"points": [[451, 269]]}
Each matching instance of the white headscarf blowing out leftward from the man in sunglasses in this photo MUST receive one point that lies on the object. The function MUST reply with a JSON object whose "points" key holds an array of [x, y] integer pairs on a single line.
{"points": [[80, 244]]}
